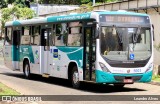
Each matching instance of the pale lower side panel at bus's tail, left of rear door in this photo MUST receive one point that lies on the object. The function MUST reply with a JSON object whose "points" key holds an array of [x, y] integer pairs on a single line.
{"points": [[8, 57]]}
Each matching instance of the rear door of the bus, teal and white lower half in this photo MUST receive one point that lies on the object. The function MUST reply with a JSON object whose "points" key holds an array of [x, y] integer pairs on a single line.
{"points": [[15, 49]]}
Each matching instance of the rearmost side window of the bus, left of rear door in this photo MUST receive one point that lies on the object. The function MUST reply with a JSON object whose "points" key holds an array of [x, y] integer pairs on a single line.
{"points": [[8, 36]]}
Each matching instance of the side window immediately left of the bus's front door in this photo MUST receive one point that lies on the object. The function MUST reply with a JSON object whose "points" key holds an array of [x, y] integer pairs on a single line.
{"points": [[75, 34]]}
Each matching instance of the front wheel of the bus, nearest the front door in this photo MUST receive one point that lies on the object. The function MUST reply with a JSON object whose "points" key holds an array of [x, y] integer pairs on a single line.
{"points": [[75, 77]]}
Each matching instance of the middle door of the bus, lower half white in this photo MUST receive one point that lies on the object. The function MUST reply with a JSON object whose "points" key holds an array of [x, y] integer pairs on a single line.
{"points": [[45, 49]]}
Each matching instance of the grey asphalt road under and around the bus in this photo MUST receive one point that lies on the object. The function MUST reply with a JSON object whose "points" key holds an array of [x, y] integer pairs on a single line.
{"points": [[54, 86]]}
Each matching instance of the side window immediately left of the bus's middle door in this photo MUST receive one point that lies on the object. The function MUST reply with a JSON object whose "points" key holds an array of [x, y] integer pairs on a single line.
{"points": [[35, 38]]}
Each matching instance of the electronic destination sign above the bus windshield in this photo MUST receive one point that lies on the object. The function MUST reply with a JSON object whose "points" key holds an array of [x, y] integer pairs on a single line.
{"points": [[124, 19]]}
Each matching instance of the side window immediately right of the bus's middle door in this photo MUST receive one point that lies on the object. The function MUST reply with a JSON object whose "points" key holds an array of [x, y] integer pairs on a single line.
{"points": [[61, 34]]}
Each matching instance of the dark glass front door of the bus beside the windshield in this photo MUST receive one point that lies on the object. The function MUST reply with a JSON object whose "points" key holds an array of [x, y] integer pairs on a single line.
{"points": [[89, 53]]}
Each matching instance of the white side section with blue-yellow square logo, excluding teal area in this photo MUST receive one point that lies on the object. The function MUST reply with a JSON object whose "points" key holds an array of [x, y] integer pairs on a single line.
{"points": [[58, 63]]}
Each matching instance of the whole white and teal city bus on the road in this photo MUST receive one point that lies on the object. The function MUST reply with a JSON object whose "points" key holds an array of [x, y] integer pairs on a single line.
{"points": [[112, 47]]}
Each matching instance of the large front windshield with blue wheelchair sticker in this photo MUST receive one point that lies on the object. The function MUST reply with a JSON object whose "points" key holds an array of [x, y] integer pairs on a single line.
{"points": [[120, 43]]}
